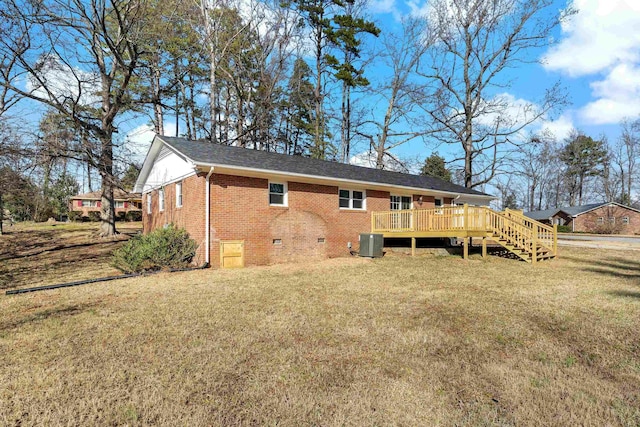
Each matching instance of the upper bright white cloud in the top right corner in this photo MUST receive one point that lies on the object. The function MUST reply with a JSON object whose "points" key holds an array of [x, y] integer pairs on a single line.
{"points": [[601, 35]]}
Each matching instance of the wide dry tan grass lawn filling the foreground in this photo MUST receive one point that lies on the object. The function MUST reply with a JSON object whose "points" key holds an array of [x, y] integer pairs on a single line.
{"points": [[394, 341]]}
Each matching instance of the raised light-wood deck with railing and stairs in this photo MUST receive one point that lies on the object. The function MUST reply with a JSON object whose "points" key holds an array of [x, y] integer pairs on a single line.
{"points": [[530, 240]]}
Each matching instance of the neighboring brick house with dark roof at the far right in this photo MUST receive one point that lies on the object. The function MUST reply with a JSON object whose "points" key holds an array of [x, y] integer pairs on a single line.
{"points": [[593, 218]]}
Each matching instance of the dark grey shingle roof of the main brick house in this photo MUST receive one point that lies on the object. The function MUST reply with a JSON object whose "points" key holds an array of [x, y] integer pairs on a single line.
{"points": [[201, 152]]}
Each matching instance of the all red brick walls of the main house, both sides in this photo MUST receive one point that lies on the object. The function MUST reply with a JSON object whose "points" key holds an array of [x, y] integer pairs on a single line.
{"points": [[240, 210]]}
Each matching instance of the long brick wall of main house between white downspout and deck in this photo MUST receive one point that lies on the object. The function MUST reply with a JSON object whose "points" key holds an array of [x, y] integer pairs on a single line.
{"points": [[240, 210]]}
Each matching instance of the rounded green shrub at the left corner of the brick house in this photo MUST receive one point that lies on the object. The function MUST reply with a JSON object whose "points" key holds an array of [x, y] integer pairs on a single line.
{"points": [[168, 247]]}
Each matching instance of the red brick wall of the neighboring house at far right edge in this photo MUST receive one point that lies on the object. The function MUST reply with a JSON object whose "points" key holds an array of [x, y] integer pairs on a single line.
{"points": [[588, 222]]}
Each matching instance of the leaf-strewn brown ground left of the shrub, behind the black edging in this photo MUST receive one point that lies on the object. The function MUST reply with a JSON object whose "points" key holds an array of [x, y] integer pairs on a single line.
{"points": [[43, 254]]}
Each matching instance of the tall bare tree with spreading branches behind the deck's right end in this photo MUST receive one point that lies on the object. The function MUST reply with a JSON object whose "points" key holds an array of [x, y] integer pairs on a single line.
{"points": [[476, 41]]}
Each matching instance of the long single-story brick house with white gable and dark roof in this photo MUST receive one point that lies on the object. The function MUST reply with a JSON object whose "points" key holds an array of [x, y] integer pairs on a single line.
{"points": [[282, 208]]}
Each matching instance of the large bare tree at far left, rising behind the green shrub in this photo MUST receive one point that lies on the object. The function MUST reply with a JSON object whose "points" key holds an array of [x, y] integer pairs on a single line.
{"points": [[78, 58]]}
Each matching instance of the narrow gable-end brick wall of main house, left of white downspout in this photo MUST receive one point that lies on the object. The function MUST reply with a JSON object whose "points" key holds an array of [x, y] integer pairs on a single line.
{"points": [[190, 216]]}
